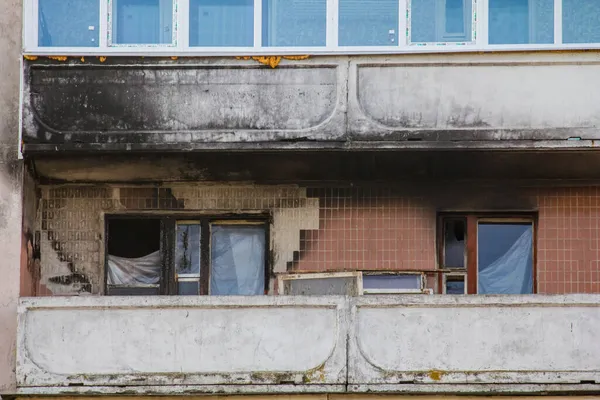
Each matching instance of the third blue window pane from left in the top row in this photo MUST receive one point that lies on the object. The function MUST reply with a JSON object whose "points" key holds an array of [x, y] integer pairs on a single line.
{"points": [[222, 23]]}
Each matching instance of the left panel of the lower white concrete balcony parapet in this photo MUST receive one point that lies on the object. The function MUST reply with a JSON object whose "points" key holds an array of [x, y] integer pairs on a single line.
{"points": [[181, 341]]}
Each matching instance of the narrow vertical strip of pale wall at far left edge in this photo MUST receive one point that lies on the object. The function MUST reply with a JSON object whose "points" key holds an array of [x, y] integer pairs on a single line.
{"points": [[10, 188]]}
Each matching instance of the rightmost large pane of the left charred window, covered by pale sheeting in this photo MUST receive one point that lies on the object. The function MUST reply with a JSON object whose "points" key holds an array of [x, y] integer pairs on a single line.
{"points": [[237, 260]]}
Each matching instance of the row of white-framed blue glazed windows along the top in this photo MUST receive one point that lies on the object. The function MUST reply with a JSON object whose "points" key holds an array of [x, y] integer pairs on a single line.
{"points": [[271, 27]]}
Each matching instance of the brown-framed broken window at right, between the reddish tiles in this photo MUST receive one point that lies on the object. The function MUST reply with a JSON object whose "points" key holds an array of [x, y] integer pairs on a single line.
{"points": [[486, 255]]}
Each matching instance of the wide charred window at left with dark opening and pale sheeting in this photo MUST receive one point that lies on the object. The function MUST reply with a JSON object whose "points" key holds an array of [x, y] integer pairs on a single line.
{"points": [[186, 257]]}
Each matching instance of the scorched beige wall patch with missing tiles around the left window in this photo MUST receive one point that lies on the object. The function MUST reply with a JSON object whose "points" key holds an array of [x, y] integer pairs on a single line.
{"points": [[71, 223]]}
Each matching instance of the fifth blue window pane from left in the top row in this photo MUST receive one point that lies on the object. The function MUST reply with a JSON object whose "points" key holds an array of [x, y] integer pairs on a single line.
{"points": [[368, 23]]}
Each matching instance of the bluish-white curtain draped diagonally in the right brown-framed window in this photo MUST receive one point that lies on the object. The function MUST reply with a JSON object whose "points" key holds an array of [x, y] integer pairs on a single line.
{"points": [[512, 273]]}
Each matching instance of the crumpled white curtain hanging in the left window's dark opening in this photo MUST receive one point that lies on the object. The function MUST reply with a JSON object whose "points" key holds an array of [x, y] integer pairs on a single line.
{"points": [[134, 271]]}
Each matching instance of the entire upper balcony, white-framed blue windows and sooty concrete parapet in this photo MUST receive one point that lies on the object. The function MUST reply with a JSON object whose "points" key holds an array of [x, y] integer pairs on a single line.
{"points": [[452, 74]]}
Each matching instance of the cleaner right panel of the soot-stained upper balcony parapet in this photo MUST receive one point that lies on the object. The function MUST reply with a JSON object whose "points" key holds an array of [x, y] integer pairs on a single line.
{"points": [[483, 99]]}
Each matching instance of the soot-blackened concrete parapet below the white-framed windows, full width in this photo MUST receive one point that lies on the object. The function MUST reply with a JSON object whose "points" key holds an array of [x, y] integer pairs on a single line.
{"points": [[149, 104]]}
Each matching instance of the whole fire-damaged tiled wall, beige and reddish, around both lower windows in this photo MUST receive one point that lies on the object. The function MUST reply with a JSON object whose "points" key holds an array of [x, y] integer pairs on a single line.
{"points": [[326, 229]]}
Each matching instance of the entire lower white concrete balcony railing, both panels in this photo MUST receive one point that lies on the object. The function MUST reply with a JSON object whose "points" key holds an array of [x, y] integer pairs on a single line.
{"points": [[309, 344]]}
